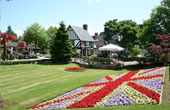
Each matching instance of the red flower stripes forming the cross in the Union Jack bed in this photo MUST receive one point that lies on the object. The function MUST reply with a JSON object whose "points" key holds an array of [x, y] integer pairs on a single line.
{"points": [[95, 97]]}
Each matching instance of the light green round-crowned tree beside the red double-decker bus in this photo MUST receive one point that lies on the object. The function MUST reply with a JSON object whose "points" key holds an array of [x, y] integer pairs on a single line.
{"points": [[36, 35]]}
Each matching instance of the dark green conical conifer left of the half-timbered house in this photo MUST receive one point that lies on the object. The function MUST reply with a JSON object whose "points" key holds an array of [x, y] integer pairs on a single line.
{"points": [[61, 49]]}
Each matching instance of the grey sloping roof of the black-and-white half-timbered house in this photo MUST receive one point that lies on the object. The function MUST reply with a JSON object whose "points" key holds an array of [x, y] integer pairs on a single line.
{"points": [[82, 34]]}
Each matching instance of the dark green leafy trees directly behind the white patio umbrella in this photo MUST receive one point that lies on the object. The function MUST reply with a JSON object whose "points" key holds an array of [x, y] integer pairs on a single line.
{"points": [[126, 29]]}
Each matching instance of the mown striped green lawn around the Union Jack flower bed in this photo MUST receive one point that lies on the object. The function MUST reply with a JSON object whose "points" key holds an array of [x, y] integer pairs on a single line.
{"points": [[31, 84]]}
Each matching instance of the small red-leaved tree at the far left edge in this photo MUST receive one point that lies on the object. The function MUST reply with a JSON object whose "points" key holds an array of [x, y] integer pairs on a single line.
{"points": [[4, 37]]}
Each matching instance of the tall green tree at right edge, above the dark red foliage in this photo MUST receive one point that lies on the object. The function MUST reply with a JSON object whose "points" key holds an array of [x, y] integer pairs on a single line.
{"points": [[157, 24]]}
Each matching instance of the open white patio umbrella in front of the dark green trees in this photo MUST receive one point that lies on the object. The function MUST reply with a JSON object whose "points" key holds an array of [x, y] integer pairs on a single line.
{"points": [[111, 48]]}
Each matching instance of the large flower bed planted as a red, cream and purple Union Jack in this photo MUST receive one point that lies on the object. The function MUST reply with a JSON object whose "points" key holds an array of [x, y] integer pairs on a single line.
{"points": [[136, 87]]}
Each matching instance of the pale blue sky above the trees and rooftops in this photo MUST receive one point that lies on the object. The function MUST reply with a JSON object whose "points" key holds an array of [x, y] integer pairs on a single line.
{"points": [[22, 13]]}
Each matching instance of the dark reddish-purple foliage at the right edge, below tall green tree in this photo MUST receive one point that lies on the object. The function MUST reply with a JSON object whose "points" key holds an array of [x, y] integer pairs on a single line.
{"points": [[163, 49]]}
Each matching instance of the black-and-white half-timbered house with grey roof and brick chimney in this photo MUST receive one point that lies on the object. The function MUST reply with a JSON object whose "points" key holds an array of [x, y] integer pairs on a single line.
{"points": [[80, 38]]}
